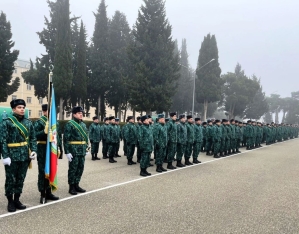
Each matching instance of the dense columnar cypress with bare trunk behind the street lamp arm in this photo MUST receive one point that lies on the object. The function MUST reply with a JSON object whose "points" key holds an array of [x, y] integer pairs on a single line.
{"points": [[208, 82]]}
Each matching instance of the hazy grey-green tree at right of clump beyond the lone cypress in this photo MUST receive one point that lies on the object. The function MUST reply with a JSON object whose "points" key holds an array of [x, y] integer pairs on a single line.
{"points": [[259, 105]]}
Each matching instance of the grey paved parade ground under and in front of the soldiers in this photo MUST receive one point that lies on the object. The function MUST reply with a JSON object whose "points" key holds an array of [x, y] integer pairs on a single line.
{"points": [[253, 192]]}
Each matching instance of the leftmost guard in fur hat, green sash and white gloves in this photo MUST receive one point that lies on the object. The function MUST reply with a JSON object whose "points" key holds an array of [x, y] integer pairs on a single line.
{"points": [[18, 138]]}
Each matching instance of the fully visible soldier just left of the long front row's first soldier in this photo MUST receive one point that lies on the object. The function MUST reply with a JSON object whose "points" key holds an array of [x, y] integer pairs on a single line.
{"points": [[130, 134]]}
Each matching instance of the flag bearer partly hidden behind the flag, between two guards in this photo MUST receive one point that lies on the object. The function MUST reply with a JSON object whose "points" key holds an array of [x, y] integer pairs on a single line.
{"points": [[41, 131]]}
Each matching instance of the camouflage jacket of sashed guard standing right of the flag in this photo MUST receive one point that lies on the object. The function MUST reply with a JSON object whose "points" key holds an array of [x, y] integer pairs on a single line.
{"points": [[71, 133]]}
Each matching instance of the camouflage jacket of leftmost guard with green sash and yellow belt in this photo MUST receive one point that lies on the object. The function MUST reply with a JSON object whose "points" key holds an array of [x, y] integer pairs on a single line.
{"points": [[11, 134]]}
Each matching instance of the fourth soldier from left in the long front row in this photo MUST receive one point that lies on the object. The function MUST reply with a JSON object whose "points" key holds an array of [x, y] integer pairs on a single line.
{"points": [[182, 140]]}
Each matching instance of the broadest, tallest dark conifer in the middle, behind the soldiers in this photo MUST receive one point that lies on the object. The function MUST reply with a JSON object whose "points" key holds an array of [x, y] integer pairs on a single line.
{"points": [[151, 53]]}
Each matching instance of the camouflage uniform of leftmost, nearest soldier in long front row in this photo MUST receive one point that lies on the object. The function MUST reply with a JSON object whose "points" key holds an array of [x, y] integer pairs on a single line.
{"points": [[146, 142]]}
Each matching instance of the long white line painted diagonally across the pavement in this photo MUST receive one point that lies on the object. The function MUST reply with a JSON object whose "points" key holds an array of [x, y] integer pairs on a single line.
{"points": [[129, 182]]}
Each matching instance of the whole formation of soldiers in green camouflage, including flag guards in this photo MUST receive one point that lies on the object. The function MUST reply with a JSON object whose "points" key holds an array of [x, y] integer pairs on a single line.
{"points": [[169, 139]]}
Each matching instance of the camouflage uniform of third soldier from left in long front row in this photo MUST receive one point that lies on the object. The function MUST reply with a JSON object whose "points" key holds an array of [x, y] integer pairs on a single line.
{"points": [[172, 140]]}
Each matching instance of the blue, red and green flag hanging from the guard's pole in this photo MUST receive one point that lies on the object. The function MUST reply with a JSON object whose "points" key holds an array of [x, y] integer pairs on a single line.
{"points": [[51, 154]]}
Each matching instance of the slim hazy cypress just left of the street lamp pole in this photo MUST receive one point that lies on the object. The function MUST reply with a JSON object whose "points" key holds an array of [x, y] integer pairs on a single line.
{"points": [[182, 100]]}
